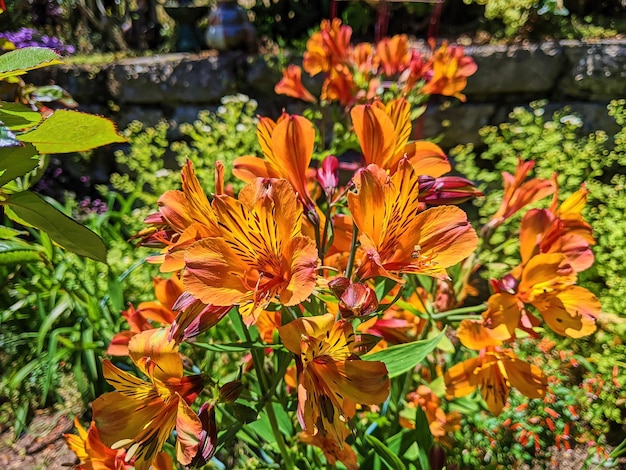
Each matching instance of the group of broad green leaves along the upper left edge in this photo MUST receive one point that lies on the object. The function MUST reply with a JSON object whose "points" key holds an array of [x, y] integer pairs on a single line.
{"points": [[61, 132]]}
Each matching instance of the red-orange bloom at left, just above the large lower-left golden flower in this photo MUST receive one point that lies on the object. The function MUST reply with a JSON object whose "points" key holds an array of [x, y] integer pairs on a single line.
{"points": [[167, 291]]}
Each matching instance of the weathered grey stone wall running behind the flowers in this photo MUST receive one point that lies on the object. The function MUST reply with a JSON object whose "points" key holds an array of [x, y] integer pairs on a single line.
{"points": [[583, 75]]}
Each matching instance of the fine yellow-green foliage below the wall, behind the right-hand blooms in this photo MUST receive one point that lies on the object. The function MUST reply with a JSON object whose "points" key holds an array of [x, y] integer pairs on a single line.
{"points": [[557, 144]]}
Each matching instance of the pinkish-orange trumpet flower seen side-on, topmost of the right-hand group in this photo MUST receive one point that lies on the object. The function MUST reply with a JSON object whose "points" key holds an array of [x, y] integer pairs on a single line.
{"points": [[518, 193]]}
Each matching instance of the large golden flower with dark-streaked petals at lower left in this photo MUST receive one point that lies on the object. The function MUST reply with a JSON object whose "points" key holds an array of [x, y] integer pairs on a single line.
{"points": [[140, 415]]}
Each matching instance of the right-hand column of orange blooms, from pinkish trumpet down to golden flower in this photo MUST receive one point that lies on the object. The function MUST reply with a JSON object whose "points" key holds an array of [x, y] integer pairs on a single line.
{"points": [[554, 246]]}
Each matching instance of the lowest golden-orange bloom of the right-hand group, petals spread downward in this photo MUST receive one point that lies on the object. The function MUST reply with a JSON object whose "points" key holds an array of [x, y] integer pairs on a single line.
{"points": [[495, 371]]}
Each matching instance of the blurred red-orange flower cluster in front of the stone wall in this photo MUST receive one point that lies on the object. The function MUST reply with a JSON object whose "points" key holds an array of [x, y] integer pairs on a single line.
{"points": [[357, 73]]}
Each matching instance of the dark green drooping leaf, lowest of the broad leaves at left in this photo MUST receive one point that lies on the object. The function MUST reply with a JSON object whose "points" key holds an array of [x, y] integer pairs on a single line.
{"points": [[68, 233]]}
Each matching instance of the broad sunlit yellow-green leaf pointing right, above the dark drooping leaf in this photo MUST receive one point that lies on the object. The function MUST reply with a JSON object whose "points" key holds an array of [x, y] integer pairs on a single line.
{"points": [[71, 131]]}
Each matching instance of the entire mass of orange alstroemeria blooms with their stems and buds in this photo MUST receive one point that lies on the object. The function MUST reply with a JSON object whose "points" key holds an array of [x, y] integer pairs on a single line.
{"points": [[335, 282]]}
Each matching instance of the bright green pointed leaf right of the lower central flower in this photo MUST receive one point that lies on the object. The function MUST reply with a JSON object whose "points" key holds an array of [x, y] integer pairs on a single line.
{"points": [[404, 357]]}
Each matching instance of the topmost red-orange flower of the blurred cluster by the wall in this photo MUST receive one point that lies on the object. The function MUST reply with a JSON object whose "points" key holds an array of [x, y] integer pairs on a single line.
{"points": [[327, 47]]}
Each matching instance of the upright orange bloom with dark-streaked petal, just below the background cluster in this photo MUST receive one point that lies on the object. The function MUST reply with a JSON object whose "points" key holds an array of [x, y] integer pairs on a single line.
{"points": [[384, 131]]}
